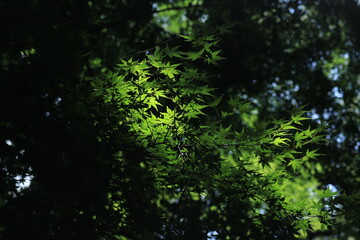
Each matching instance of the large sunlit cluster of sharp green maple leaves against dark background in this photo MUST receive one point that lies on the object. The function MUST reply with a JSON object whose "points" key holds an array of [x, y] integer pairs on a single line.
{"points": [[247, 180]]}
